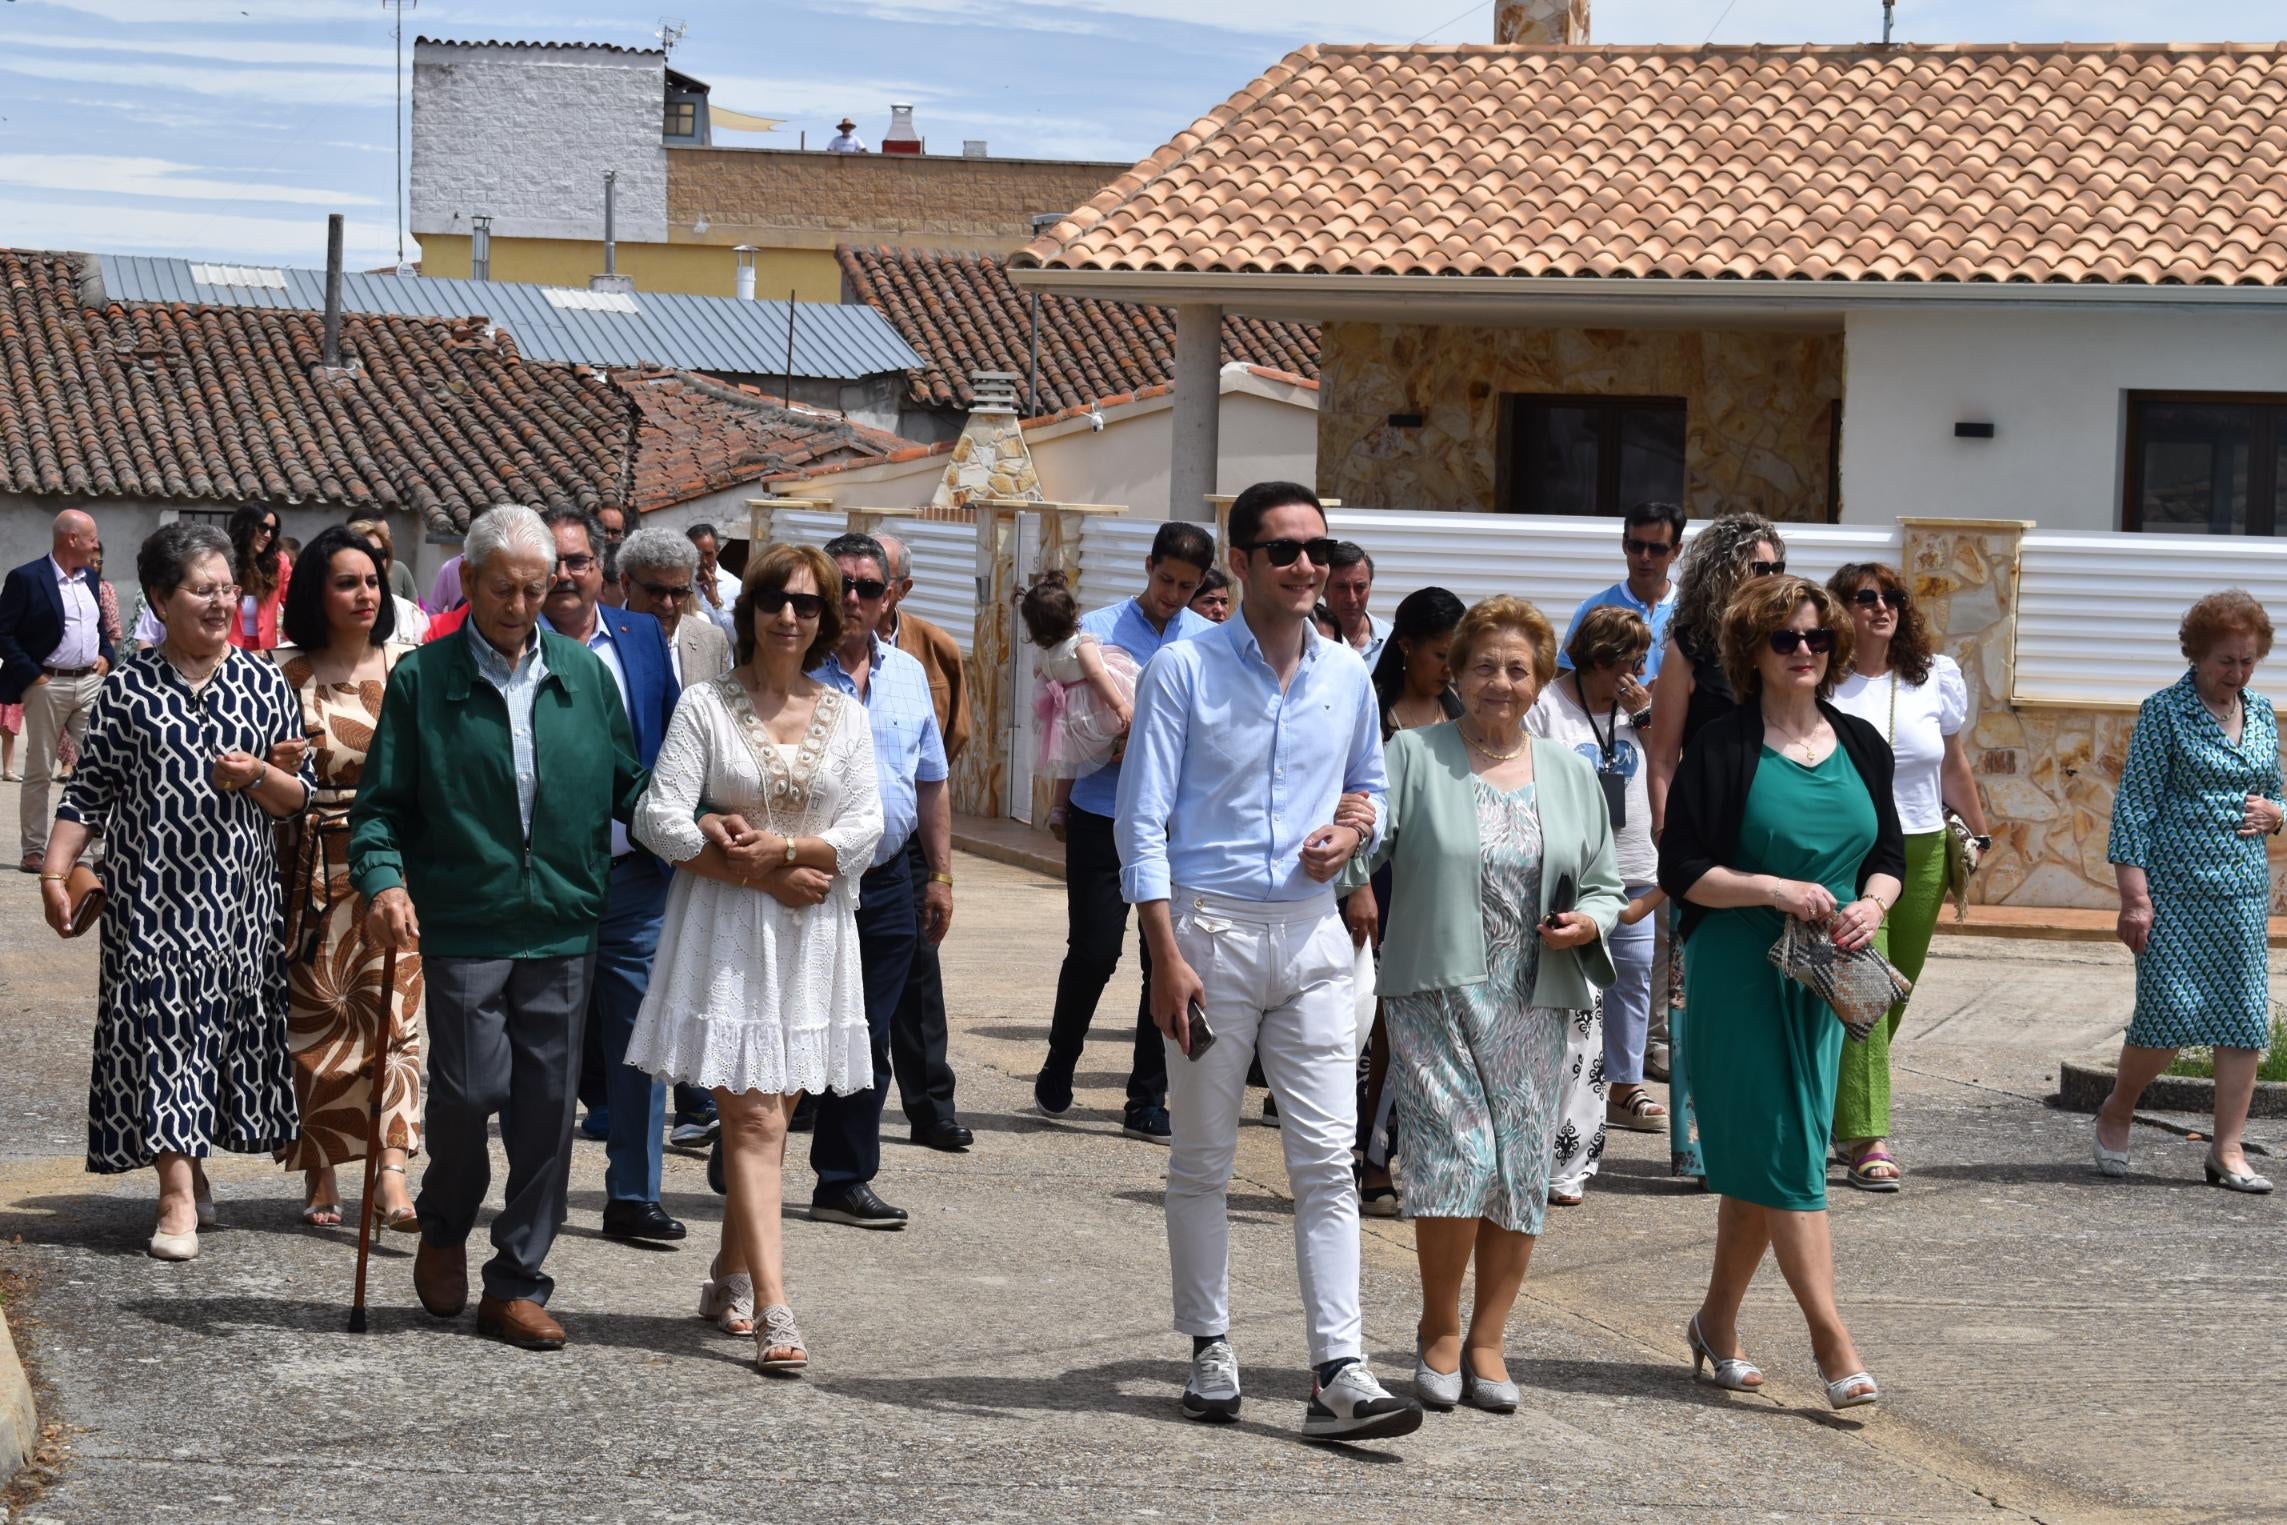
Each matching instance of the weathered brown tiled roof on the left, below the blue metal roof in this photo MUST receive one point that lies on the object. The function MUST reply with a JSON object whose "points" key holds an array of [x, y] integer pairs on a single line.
{"points": [[230, 406]]}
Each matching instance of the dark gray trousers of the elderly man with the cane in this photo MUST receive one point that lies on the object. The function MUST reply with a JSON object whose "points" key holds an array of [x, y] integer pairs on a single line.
{"points": [[504, 1039]]}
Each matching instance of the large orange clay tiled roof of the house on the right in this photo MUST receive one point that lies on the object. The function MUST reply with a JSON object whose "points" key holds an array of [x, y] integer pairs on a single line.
{"points": [[1975, 163]]}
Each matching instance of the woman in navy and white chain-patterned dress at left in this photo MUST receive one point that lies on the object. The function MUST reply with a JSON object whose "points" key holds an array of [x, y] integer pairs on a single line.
{"points": [[175, 776]]}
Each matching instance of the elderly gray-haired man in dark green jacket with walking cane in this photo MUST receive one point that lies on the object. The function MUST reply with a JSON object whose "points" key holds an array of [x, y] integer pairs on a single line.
{"points": [[481, 833]]}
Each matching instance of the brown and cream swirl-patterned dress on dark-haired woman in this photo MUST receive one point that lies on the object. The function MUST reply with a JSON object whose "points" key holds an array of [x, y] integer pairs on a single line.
{"points": [[333, 975]]}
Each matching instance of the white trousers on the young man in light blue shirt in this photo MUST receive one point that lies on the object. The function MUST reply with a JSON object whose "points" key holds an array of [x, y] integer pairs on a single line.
{"points": [[1280, 984]]}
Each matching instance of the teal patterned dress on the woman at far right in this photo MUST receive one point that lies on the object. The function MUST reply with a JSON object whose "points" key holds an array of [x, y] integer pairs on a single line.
{"points": [[2204, 977]]}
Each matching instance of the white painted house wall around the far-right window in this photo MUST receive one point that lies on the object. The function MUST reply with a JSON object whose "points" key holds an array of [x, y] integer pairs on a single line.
{"points": [[2053, 385]]}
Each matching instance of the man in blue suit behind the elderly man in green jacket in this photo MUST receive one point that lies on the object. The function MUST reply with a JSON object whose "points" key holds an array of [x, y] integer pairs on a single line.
{"points": [[637, 655]]}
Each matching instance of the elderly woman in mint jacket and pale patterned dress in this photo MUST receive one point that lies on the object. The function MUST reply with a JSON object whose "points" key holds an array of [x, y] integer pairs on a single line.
{"points": [[1501, 907]]}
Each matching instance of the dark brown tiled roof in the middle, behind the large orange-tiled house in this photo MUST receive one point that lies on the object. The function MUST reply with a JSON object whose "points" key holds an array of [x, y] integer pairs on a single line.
{"points": [[964, 314]]}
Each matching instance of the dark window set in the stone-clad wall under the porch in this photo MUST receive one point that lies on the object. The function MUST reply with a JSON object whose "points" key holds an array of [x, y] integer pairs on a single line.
{"points": [[1591, 456]]}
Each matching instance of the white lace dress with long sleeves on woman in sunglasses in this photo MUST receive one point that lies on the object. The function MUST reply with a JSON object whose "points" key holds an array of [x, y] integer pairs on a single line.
{"points": [[749, 993]]}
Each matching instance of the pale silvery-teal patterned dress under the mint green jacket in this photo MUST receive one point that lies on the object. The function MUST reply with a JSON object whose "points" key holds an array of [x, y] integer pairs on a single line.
{"points": [[1479, 1069]]}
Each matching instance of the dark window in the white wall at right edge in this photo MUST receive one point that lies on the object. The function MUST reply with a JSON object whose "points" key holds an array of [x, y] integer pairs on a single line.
{"points": [[2206, 465]]}
